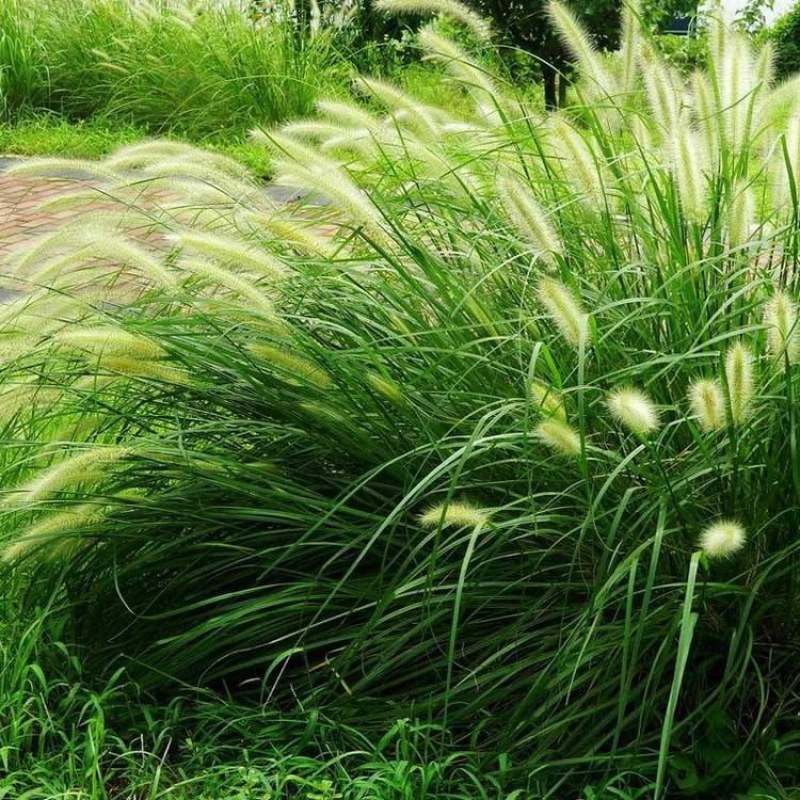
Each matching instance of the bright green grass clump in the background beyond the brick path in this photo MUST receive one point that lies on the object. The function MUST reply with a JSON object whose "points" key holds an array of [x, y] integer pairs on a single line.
{"points": [[198, 68]]}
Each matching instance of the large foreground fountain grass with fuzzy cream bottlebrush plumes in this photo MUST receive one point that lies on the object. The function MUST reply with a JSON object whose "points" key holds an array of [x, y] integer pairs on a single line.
{"points": [[511, 452]]}
